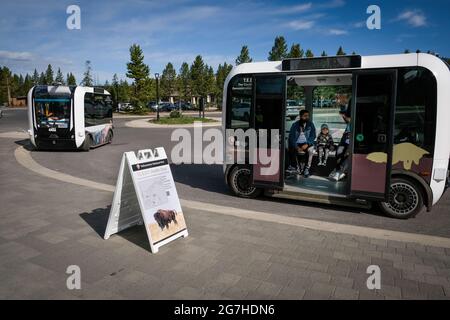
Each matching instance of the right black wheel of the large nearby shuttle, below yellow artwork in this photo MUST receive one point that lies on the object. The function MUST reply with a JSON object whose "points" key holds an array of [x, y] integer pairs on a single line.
{"points": [[405, 199]]}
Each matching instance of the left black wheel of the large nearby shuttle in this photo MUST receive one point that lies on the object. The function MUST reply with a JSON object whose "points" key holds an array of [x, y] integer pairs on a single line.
{"points": [[239, 181]]}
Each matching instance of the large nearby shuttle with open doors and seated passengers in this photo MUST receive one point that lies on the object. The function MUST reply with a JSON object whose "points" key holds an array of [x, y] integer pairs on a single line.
{"points": [[388, 116]]}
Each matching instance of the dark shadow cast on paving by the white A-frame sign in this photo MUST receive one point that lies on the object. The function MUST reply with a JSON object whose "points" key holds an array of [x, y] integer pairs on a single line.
{"points": [[97, 219]]}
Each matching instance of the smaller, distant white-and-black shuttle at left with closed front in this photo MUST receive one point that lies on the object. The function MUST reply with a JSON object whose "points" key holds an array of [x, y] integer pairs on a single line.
{"points": [[63, 117]]}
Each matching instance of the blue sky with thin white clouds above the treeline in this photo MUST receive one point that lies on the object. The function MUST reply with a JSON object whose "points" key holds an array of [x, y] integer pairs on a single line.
{"points": [[33, 33]]}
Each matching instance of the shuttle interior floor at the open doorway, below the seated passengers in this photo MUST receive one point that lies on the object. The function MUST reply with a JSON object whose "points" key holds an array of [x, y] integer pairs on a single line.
{"points": [[316, 185]]}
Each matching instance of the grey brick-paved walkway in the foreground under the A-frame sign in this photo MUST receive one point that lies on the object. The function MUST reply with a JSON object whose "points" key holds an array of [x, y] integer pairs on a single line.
{"points": [[224, 257]]}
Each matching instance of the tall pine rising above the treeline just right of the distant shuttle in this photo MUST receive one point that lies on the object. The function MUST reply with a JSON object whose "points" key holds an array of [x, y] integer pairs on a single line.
{"points": [[137, 69]]}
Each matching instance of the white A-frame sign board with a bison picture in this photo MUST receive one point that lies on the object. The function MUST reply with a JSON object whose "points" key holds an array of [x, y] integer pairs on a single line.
{"points": [[146, 194]]}
